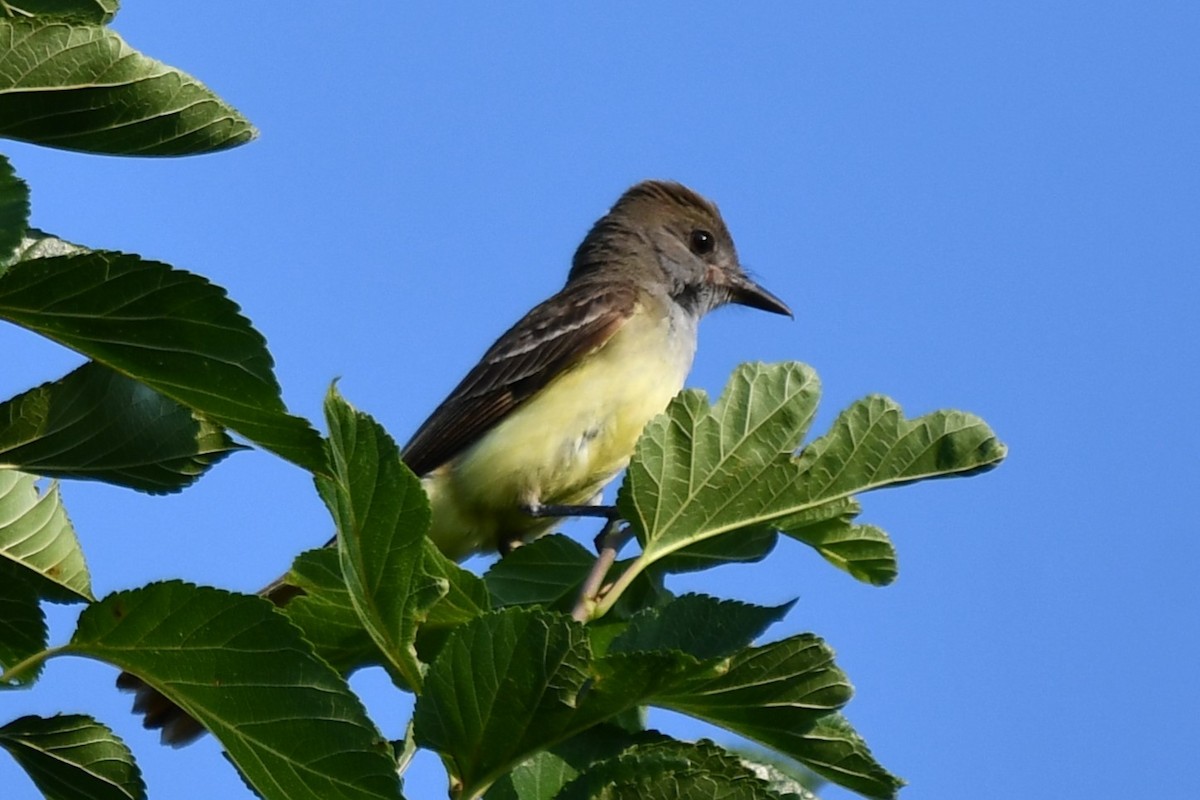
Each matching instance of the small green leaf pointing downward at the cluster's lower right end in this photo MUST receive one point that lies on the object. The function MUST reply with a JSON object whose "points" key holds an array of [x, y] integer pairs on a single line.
{"points": [[835, 750]]}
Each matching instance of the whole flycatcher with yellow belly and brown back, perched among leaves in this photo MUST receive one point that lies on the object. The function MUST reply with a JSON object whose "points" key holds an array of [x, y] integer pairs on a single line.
{"points": [[553, 412]]}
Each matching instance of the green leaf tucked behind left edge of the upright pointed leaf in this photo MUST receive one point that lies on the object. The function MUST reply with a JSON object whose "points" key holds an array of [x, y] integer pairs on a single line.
{"points": [[326, 613]]}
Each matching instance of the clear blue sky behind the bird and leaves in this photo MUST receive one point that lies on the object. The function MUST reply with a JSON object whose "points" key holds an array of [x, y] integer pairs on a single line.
{"points": [[987, 207]]}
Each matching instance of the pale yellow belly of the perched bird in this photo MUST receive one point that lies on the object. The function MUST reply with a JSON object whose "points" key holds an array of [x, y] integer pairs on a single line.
{"points": [[567, 442]]}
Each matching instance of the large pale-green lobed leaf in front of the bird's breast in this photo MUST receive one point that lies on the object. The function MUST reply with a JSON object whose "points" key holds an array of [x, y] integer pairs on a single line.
{"points": [[700, 473]]}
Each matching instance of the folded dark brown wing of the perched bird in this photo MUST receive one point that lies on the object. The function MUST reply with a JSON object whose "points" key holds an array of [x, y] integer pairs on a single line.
{"points": [[549, 340]]}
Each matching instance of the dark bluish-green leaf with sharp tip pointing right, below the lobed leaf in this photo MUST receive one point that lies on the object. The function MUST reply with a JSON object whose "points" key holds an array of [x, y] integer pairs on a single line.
{"points": [[700, 625]]}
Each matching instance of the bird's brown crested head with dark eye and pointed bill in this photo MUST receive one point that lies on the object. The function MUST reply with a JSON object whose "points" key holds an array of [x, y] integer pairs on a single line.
{"points": [[665, 233]]}
